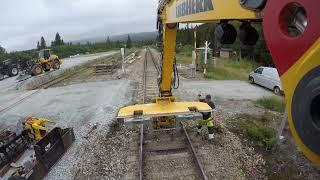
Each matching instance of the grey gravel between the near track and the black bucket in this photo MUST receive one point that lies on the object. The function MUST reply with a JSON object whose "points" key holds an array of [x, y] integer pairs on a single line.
{"points": [[104, 156]]}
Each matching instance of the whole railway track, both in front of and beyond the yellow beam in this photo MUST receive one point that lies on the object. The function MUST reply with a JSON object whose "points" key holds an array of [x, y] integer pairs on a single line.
{"points": [[169, 153]]}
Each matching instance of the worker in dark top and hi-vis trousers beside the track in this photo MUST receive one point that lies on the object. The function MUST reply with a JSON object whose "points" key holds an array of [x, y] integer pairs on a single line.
{"points": [[207, 118]]}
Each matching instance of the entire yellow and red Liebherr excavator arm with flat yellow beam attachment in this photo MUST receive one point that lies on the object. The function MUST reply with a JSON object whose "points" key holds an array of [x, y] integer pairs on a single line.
{"points": [[291, 30]]}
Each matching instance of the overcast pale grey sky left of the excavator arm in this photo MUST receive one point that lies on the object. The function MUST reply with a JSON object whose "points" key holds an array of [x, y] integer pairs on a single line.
{"points": [[23, 22]]}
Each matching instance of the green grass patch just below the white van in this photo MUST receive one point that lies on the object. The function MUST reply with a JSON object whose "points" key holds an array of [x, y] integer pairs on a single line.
{"points": [[273, 103]]}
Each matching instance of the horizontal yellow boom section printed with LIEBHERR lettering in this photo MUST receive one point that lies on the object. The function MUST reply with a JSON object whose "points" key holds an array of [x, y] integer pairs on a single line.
{"points": [[210, 10]]}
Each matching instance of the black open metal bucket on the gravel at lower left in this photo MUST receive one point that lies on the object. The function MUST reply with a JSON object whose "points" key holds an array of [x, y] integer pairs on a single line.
{"points": [[50, 149]]}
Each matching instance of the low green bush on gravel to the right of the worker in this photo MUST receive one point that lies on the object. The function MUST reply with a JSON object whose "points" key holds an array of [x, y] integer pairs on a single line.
{"points": [[264, 136]]}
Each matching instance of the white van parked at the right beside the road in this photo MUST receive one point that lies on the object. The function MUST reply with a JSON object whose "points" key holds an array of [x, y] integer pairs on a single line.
{"points": [[267, 77]]}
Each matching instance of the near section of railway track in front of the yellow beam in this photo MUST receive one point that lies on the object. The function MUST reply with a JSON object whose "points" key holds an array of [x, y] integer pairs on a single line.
{"points": [[168, 154]]}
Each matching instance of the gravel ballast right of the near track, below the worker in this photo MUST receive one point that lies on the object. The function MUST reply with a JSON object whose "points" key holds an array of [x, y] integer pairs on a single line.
{"points": [[226, 157]]}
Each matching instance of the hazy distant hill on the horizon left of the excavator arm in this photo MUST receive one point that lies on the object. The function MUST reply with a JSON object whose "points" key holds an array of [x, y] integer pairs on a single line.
{"points": [[145, 36]]}
